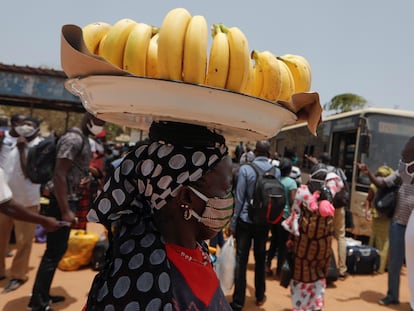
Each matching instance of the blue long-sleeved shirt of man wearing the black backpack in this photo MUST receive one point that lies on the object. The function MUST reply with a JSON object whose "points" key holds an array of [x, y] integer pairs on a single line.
{"points": [[245, 186]]}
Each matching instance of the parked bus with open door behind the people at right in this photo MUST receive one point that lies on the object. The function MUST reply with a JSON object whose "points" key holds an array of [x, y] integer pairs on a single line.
{"points": [[374, 136]]}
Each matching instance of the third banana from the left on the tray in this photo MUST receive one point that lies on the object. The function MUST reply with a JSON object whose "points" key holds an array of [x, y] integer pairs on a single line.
{"points": [[136, 49]]}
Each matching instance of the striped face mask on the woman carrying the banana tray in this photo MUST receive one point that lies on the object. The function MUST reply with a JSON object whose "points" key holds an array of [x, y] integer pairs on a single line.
{"points": [[217, 213]]}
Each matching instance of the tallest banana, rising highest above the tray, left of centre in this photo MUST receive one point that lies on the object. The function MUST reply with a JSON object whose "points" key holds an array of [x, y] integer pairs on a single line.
{"points": [[171, 43]]}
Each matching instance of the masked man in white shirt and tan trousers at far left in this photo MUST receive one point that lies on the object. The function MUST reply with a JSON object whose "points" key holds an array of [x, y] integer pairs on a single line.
{"points": [[23, 135]]}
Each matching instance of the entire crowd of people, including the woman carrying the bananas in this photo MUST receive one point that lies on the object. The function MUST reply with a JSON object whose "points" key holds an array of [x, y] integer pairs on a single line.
{"points": [[163, 199]]}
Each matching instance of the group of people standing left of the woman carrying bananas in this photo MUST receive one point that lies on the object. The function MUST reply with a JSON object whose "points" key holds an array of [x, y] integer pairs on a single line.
{"points": [[79, 165]]}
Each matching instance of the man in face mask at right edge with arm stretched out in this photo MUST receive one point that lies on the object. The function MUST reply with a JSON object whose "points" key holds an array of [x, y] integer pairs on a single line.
{"points": [[404, 206]]}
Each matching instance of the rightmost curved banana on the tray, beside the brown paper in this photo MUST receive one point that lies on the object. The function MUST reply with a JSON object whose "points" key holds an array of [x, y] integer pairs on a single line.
{"points": [[301, 71]]}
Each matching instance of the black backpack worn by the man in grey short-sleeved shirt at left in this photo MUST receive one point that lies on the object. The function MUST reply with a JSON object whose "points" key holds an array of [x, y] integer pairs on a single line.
{"points": [[41, 159]]}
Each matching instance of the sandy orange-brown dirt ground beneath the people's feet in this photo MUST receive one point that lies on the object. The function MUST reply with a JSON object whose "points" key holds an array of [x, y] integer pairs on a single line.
{"points": [[354, 293]]}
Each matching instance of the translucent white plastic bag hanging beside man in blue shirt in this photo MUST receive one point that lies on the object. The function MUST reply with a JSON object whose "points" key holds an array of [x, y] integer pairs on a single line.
{"points": [[225, 265]]}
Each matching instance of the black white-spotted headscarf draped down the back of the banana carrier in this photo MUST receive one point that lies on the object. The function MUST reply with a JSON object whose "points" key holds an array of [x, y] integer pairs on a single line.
{"points": [[138, 275]]}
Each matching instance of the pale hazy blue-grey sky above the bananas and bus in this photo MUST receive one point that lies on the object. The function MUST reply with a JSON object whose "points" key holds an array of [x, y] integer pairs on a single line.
{"points": [[363, 47]]}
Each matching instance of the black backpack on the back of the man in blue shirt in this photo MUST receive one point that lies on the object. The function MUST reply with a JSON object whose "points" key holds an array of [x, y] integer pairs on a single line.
{"points": [[269, 197]]}
